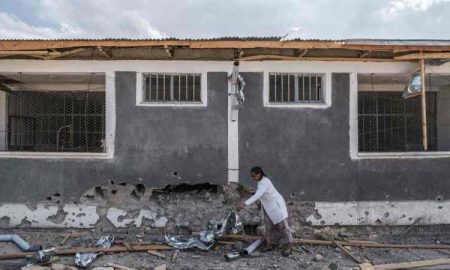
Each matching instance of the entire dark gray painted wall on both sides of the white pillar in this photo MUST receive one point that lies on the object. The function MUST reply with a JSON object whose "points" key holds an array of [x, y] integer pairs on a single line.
{"points": [[305, 151]]}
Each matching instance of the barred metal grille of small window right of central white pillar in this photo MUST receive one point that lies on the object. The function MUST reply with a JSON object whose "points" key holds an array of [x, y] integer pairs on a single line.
{"points": [[296, 88]]}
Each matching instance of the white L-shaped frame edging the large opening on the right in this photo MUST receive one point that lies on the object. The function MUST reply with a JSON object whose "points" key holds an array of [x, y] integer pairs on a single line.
{"points": [[353, 120]]}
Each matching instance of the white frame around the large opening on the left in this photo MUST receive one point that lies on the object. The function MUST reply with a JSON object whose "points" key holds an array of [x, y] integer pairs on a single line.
{"points": [[110, 124]]}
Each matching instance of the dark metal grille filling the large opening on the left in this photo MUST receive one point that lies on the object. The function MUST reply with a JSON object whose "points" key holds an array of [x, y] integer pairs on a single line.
{"points": [[72, 121]]}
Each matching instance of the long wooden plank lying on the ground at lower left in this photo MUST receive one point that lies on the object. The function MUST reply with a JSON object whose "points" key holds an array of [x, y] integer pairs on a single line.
{"points": [[70, 251]]}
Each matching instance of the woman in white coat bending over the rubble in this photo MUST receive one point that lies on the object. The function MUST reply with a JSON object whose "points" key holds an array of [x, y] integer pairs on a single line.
{"points": [[277, 230]]}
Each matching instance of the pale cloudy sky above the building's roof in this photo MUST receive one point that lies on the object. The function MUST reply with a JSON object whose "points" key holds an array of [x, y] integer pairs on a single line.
{"points": [[210, 18]]}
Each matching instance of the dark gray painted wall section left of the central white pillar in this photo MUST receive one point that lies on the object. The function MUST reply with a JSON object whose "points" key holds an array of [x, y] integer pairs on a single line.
{"points": [[152, 143]]}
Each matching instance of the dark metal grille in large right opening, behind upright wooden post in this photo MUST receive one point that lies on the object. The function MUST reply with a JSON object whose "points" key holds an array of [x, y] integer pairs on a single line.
{"points": [[389, 123]]}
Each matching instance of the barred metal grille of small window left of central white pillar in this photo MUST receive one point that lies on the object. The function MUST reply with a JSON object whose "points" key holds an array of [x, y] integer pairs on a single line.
{"points": [[172, 87]]}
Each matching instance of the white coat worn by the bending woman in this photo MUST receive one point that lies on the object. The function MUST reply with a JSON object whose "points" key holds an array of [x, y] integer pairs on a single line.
{"points": [[271, 199]]}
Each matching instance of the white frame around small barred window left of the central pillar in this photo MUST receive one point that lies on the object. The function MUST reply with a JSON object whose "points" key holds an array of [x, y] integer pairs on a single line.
{"points": [[140, 90]]}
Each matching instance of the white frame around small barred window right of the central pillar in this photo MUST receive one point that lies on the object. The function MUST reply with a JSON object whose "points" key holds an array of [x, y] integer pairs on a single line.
{"points": [[326, 91]]}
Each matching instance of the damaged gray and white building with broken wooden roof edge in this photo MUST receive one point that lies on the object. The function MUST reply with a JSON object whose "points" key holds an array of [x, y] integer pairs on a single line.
{"points": [[88, 121]]}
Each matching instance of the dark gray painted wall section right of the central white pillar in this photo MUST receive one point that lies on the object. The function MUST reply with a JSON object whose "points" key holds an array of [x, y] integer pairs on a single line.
{"points": [[306, 153]]}
